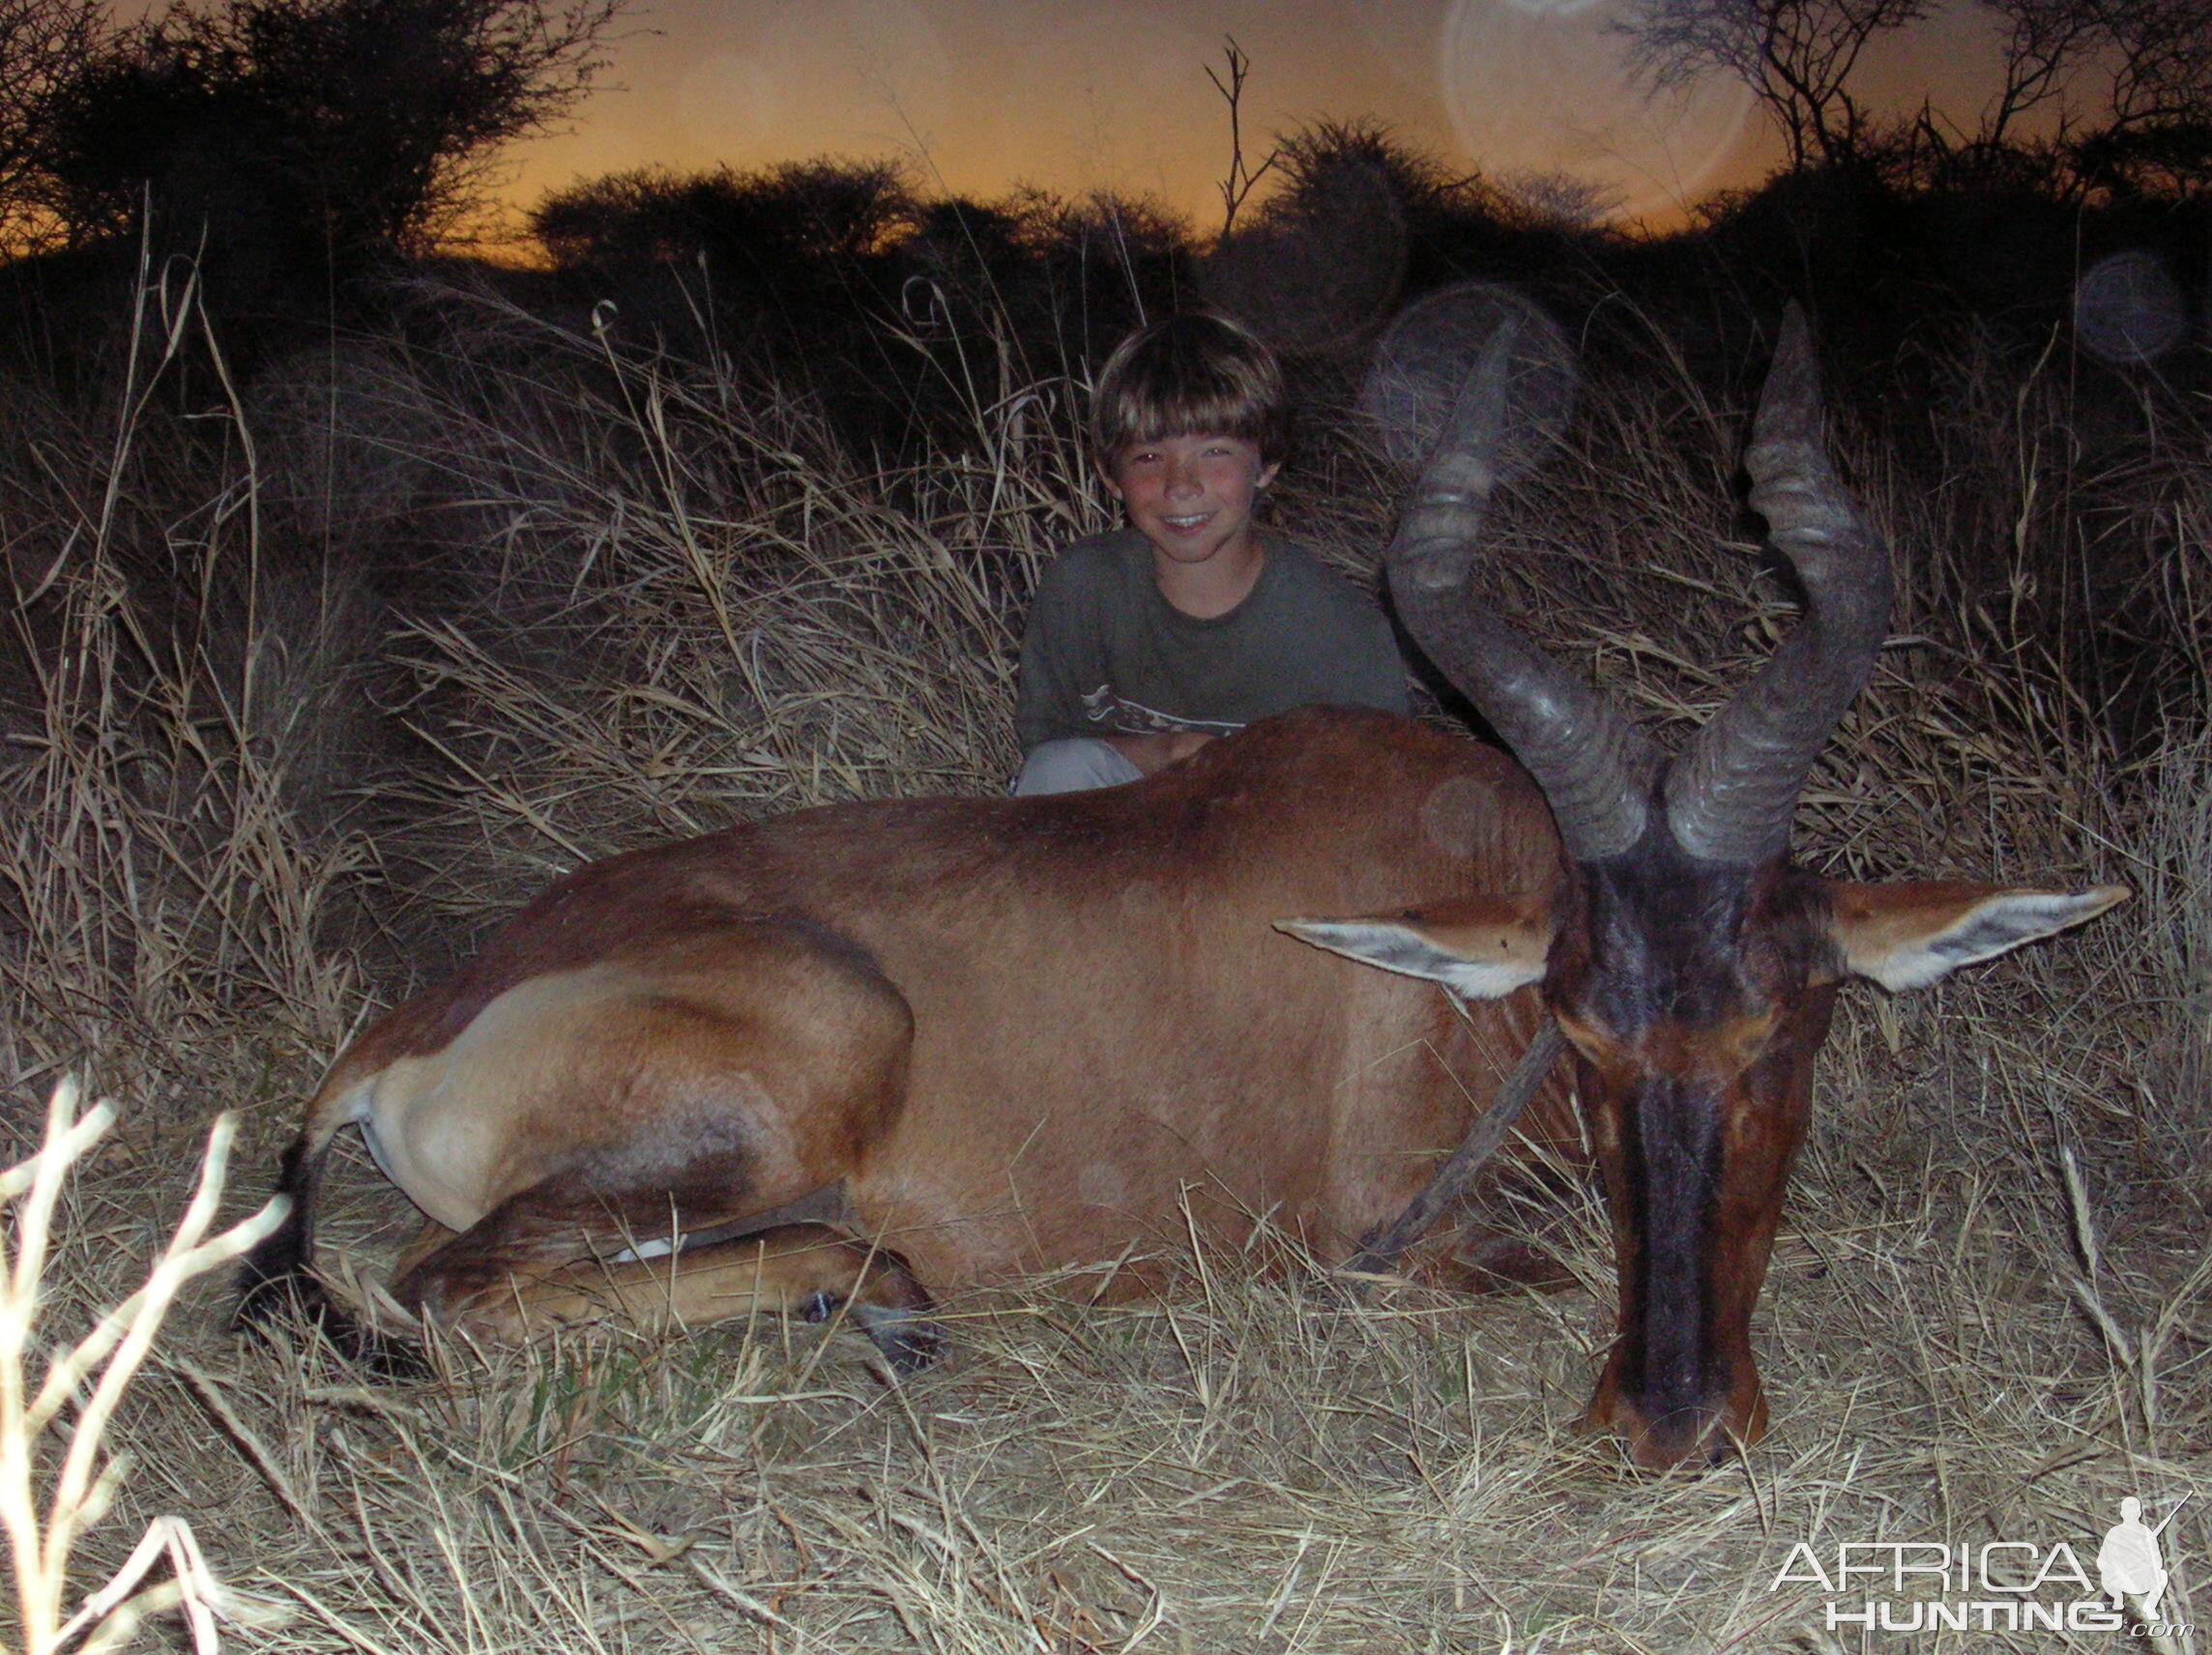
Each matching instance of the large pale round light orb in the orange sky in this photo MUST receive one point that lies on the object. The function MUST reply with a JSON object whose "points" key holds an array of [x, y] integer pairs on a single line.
{"points": [[1543, 87]]}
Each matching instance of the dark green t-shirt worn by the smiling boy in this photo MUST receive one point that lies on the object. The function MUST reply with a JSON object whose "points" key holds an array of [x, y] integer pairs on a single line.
{"points": [[1105, 654]]}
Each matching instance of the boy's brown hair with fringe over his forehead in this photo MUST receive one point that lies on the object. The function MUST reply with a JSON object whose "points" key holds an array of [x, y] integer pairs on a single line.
{"points": [[1191, 375]]}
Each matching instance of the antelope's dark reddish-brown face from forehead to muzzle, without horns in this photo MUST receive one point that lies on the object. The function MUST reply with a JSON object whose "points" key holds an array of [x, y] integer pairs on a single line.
{"points": [[1695, 997]]}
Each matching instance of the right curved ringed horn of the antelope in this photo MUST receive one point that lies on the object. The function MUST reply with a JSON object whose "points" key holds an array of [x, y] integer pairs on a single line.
{"points": [[1735, 789]]}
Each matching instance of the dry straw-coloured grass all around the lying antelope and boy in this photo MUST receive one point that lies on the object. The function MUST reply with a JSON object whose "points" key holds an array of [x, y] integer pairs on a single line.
{"points": [[651, 601]]}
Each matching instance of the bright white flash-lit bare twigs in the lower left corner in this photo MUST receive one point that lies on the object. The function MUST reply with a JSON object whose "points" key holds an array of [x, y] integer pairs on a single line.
{"points": [[48, 1508]]}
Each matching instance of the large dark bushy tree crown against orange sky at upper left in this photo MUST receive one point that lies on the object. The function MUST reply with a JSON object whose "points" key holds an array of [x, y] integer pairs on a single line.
{"points": [[324, 129]]}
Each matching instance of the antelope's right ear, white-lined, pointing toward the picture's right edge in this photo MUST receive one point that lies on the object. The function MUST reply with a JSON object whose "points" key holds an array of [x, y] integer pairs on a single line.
{"points": [[1912, 935]]}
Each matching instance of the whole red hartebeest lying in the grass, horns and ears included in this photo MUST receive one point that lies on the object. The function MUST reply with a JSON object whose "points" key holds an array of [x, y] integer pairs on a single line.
{"points": [[857, 1052]]}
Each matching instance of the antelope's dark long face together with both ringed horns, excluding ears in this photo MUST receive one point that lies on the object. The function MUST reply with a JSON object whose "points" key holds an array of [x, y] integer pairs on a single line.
{"points": [[1691, 964]]}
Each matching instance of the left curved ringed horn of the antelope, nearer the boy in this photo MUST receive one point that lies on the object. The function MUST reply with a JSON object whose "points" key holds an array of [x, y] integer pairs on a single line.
{"points": [[1592, 764]]}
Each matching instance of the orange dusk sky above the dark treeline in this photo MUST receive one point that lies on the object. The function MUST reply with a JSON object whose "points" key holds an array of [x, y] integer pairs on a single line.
{"points": [[1114, 94]]}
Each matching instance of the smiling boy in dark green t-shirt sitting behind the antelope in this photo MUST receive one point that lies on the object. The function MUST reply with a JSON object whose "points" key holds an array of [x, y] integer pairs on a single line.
{"points": [[1149, 643]]}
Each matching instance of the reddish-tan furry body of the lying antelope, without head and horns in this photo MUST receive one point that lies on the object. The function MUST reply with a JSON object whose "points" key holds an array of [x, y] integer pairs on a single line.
{"points": [[1016, 1034]]}
